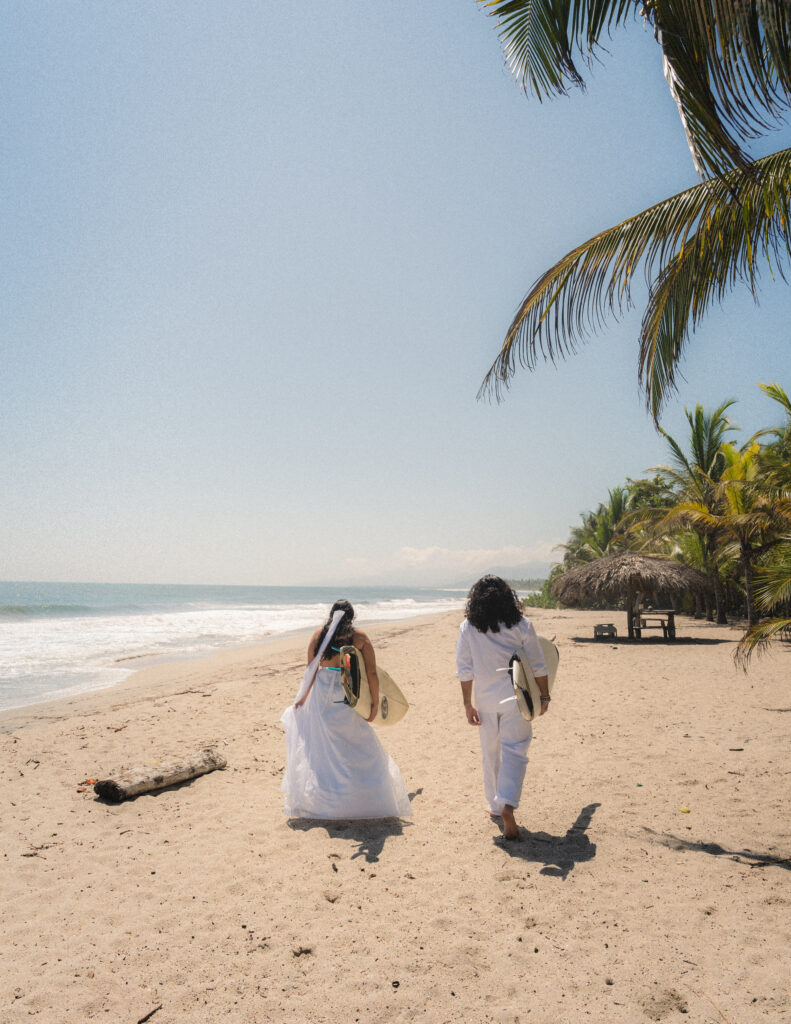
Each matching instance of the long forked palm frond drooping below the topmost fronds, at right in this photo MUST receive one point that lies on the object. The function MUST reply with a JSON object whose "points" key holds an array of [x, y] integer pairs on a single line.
{"points": [[692, 247]]}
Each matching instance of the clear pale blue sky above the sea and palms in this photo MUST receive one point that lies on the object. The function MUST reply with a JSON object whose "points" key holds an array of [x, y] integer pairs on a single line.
{"points": [[257, 261]]}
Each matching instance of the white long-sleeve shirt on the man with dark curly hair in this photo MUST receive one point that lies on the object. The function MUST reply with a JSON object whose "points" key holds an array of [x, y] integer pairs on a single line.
{"points": [[485, 657]]}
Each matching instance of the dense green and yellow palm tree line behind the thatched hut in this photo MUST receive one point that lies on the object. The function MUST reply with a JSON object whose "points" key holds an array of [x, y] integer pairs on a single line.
{"points": [[718, 505]]}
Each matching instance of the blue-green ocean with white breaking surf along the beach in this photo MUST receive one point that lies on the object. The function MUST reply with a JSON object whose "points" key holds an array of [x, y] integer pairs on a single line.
{"points": [[59, 639]]}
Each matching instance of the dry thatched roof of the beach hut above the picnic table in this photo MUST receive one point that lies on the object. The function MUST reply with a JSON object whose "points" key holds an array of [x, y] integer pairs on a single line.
{"points": [[627, 575]]}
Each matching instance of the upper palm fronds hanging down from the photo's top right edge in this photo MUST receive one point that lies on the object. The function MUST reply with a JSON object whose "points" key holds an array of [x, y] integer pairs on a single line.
{"points": [[728, 65]]}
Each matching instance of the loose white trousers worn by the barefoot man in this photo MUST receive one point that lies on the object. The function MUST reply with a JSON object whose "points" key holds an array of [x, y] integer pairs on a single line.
{"points": [[506, 738]]}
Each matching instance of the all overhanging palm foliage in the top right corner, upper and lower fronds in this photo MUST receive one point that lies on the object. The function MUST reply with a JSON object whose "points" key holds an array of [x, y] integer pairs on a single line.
{"points": [[729, 69]]}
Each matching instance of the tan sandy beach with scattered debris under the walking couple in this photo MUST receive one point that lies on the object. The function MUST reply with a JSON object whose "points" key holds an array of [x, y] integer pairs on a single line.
{"points": [[202, 904]]}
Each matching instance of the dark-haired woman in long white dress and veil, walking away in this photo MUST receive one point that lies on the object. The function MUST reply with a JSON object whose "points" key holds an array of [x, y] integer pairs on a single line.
{"points": [[336, 765]]}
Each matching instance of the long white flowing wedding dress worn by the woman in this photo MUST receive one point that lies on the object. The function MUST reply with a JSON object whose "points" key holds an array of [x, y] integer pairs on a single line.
{"points": [[337, 767]]}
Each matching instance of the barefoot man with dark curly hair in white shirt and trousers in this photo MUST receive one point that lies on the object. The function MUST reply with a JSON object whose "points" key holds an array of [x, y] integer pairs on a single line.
{"points": [[494, 629]]}
